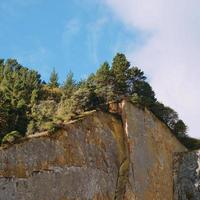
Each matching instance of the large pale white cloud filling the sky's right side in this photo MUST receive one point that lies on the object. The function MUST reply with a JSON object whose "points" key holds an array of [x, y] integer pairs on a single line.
{"points": [[171, 56]]}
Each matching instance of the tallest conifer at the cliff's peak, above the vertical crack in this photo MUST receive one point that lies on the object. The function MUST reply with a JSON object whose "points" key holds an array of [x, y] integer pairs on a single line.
{"points": [[119, 71]]}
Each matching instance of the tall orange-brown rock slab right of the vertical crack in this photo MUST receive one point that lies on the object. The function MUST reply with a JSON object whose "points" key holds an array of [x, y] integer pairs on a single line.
{"points": [[151, 146]]}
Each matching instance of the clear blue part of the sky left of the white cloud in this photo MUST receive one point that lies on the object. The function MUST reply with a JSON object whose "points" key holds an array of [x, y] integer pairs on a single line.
{"points": [[76, 36]]}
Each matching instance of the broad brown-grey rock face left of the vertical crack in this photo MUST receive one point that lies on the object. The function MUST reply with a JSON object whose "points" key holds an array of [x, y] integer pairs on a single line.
{"points": [[81, 161]]}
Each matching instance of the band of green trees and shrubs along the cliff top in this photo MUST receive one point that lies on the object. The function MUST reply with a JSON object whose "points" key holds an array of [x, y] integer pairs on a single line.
{"points": [[28, 105]]}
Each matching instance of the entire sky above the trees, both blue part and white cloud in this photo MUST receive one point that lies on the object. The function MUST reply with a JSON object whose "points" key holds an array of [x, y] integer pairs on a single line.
{"points": [[162, 37]]}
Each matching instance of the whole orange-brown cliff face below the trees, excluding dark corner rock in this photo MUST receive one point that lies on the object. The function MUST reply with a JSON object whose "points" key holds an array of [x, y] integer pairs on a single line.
{"points": [[101, 157]]}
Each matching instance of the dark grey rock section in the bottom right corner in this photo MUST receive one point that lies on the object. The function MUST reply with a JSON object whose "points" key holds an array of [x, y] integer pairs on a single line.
{"points": [[187, 176]]}
